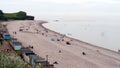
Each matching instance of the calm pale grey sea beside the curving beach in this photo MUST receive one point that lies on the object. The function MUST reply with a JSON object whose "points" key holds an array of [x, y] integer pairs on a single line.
{"points": [[103, 31]]}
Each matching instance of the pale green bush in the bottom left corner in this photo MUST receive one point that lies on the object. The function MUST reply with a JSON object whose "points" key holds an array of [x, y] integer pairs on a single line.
{"points": [[9, 61]]}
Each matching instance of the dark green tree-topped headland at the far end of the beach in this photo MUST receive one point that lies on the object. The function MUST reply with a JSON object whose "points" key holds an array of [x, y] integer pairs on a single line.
{"points": [[21, 15]]}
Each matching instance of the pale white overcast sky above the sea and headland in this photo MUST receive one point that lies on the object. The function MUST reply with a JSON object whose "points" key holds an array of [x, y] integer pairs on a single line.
{"points": [[62, 7]]}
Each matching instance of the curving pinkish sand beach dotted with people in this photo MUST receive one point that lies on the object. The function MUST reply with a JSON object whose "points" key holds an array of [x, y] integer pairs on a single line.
{"points": [[66, 51]]}
